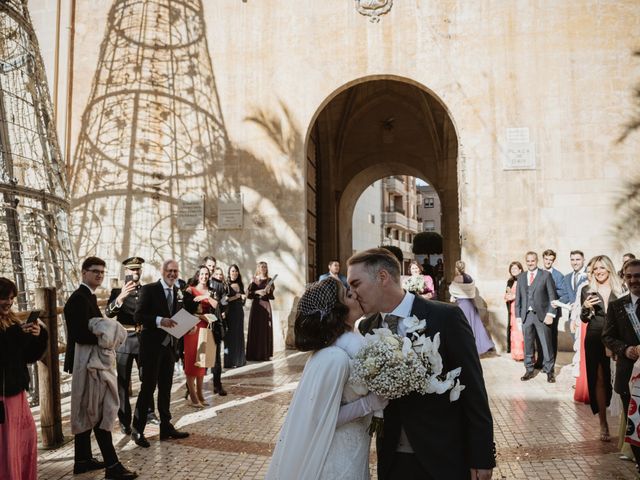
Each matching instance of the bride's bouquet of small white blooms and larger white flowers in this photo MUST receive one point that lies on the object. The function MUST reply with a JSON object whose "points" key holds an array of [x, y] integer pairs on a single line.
{"points": [[392, 366]]}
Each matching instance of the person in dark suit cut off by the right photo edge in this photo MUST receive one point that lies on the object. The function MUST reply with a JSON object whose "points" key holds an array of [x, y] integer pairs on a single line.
{"points": [[620, 336]]}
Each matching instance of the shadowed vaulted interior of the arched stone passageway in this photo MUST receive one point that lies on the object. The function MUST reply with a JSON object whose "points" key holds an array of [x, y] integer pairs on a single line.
{"points": [[373, 128]]}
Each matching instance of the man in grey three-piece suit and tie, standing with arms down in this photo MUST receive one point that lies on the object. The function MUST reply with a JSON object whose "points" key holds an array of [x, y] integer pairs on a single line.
{"points": [[534, 312]]}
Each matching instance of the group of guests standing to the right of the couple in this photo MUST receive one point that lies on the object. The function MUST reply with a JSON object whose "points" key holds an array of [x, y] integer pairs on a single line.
{"points": [[591, 297]]}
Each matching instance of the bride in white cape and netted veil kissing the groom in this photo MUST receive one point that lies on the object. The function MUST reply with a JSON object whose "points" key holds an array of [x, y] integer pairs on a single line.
{"points": [[325, 434]]}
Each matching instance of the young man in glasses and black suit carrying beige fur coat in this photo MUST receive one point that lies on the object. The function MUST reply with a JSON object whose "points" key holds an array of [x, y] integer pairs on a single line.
{"points": [[79, 309]]}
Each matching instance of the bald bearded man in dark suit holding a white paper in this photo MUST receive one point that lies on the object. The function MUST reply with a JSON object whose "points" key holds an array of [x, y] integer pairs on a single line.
{"points": [[157, 304]]}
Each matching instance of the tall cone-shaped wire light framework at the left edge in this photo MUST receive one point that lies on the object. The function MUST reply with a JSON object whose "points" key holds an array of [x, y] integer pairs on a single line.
{"points": [[35, 245]]}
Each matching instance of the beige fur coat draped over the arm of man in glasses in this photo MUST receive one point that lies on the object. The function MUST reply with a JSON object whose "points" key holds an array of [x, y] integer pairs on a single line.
{"points": [[94, 385]]}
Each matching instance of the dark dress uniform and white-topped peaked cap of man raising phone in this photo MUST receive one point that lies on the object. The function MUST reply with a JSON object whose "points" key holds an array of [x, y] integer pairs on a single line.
{"points": [[130, 348]]}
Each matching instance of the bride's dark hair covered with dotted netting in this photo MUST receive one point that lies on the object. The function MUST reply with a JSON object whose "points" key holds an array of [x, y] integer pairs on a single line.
{"points": [[321, 316]]}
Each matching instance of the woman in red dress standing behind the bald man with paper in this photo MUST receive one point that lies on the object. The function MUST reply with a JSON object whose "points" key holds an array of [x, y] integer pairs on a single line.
{"points": [[195, 375]]}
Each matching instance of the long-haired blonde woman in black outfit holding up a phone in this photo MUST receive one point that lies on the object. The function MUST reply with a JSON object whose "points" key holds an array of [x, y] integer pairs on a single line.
{"points": [[604, 287]]}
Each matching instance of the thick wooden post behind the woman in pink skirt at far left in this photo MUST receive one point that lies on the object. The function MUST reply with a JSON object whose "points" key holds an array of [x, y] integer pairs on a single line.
{"points": [[49, 372]]}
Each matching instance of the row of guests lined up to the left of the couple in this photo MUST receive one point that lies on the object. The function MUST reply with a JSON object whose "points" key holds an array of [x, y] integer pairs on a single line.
{"points": [[135, 328]]}
